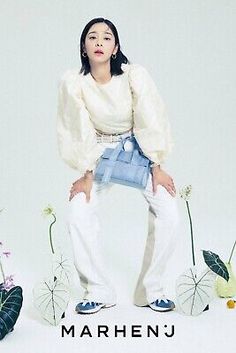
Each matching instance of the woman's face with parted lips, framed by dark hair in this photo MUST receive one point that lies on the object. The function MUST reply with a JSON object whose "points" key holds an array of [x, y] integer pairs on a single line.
{"points": [[100, 43]]}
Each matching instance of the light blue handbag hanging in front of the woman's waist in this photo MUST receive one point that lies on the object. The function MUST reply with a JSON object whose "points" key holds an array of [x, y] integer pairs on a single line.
{"points": [[129, 168]]}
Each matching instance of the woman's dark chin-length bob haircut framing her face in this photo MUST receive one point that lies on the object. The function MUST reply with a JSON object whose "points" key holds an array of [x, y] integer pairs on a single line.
{"points": [[115, 63]]}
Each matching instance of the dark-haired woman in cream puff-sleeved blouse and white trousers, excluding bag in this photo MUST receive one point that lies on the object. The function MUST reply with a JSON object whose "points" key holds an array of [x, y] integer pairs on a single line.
{"points": [[108, 100]]}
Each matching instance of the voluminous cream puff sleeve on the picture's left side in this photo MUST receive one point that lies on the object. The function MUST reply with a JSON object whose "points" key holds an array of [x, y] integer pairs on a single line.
{"points": [[76, 135]]}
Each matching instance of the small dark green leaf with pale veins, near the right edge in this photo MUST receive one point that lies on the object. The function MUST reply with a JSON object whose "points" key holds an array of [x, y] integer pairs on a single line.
{"points": [[213, 261]]}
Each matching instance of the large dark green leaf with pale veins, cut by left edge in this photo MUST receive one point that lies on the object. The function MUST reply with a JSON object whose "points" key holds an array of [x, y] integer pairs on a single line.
{"points": [[10, 306]]}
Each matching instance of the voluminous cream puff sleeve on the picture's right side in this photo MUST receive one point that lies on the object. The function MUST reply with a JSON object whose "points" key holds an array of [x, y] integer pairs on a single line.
{"points": [[151, 125]]}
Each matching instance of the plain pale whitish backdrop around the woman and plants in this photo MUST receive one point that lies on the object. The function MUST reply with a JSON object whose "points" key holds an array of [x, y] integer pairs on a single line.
{"points": [[189, 48]]}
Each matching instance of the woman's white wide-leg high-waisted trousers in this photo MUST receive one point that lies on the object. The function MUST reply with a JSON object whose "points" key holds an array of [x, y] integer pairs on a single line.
{"points": [[85, 233]]}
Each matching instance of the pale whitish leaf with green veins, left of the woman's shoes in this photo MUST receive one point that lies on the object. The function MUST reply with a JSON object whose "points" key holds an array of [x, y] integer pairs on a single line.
{"points": [[51, 298]]}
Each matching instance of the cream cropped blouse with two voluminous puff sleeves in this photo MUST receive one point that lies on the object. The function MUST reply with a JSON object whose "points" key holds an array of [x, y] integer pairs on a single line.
{"points": [[130, 100]]}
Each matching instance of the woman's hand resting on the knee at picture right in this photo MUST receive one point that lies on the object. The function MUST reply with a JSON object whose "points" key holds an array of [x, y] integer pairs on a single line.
{"points": [[162, 178]]}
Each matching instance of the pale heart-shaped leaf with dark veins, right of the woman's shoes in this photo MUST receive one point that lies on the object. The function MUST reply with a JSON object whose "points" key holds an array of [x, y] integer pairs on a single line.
{"points": [[194, 293]]}
